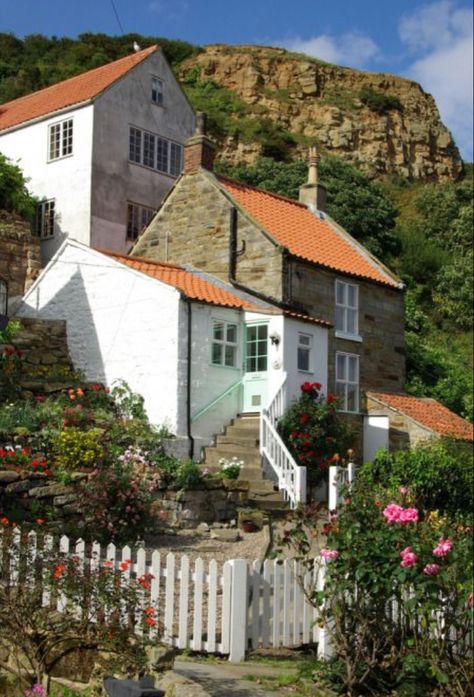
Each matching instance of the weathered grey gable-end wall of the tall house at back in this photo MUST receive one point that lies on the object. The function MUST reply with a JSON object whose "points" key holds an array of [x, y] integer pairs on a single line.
{"points": [[116, 180]]}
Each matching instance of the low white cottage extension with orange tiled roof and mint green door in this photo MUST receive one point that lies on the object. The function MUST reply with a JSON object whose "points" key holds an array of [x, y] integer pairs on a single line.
{"points": [[198, 350]]}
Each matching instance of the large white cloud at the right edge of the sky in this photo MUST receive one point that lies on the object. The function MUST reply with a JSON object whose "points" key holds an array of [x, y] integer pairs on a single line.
{"points": [[444, 35]]}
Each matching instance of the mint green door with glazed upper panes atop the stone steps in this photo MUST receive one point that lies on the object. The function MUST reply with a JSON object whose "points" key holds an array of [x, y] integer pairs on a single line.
{"points": [[255, 367]]}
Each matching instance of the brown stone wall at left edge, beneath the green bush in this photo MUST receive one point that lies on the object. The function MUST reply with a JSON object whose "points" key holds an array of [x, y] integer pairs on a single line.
{"points": [[20, 261]]}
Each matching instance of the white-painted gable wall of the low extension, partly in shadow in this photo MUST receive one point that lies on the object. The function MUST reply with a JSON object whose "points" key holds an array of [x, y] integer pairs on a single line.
{"points": [[121, 324]]}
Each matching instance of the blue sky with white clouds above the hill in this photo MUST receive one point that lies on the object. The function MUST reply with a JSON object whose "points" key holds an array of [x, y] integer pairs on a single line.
{"points": [[430, 42]]}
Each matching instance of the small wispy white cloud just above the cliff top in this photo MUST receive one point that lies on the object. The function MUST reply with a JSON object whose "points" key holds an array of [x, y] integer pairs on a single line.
{"points": [[352, 49]]}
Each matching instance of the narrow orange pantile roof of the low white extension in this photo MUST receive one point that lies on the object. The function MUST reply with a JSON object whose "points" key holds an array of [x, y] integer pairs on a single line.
{"points": [[192, 285]]}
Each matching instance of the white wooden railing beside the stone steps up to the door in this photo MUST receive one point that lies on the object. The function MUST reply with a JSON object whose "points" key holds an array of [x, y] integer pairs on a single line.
{"points": [[291, 477]]}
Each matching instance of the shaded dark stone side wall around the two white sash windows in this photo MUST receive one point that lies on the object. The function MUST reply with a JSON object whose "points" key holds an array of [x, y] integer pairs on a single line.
{"points": [[381, 326]]}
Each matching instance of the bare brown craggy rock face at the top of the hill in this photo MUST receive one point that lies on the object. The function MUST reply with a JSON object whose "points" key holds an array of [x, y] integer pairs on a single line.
{"points": [[327, 104]]}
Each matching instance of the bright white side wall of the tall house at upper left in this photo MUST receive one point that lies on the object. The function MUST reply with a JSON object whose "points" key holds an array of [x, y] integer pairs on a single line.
{"points": [[67, 179]]}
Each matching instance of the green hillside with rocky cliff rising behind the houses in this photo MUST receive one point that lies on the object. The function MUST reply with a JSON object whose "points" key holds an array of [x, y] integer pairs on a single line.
{"points": [[422, 230]]}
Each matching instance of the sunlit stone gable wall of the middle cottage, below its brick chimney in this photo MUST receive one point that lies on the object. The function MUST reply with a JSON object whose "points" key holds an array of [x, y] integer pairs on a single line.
{"points": [[192, 227]]}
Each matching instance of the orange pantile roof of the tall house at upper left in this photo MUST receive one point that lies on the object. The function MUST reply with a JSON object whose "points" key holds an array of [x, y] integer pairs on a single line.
{"points": [[68, 92]]}
